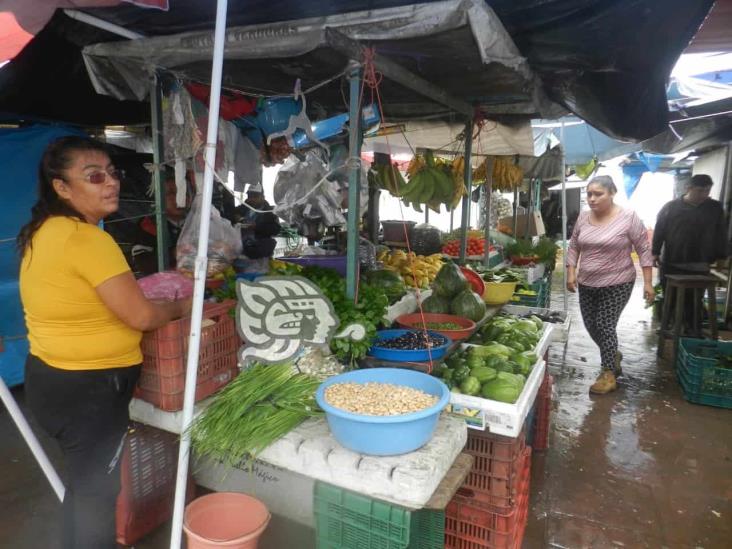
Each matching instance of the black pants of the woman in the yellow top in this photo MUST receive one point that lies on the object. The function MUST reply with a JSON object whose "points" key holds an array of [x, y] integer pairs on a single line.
{"points": [[87, 412]]}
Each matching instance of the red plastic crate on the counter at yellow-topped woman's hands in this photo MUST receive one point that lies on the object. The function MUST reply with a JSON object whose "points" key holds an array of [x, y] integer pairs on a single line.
{"points": [[165, 351]]}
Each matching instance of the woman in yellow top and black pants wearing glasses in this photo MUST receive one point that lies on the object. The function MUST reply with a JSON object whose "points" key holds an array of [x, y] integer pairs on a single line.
{"points": [[85, 316]]}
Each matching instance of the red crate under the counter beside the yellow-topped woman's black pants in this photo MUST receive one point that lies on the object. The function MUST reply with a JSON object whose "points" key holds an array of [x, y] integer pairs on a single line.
{"points": [[148, 471]]}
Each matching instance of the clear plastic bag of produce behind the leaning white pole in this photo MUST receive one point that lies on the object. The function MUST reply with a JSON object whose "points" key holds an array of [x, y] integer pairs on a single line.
{"points": [[224, 242]]}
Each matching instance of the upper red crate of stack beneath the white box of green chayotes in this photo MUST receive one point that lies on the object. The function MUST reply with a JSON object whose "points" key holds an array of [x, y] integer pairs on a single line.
{"points": [[498, 462]]}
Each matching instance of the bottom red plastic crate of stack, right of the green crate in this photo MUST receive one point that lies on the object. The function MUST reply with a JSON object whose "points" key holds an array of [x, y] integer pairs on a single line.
{"points": [[468, 526]]}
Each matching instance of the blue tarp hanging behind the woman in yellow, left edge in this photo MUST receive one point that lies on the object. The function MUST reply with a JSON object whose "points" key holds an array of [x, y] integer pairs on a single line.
{"points": [[20, 153]]}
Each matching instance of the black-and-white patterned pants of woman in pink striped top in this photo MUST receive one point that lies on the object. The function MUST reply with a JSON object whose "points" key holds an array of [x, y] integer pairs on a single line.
{"points": [[601, 308]]}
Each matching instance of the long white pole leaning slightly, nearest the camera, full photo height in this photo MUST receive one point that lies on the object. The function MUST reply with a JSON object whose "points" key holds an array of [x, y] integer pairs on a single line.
{"points": [[199, 275]]}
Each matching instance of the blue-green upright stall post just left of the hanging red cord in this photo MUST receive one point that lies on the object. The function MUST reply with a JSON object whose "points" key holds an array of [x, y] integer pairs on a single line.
{"points": [[354, 179]]}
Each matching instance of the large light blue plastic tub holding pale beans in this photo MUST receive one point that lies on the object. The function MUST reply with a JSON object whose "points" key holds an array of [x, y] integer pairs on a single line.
{"points": [[385, 435]]}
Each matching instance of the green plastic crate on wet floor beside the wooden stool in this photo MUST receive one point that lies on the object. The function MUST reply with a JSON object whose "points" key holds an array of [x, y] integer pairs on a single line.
{"points": [[702, 381]]}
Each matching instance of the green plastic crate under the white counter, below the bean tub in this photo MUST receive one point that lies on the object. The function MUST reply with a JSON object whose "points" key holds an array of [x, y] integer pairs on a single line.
{"points": [[347, 520]]}
